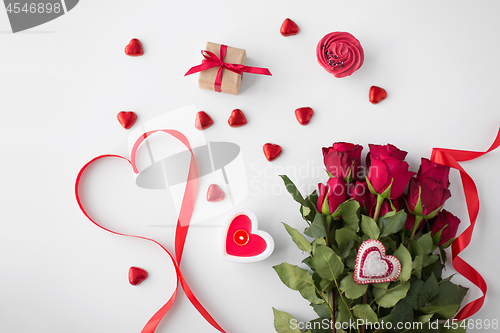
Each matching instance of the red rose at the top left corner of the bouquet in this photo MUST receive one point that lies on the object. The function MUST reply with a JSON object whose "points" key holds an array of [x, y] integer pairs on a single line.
{"points": [[343, 160]]}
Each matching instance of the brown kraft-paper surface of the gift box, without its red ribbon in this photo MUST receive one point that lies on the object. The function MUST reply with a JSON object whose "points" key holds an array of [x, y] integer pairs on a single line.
{"points": [[231, 81]]}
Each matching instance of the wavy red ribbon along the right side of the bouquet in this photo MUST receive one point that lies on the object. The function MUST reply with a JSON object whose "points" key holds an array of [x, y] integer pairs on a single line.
{"points": [[451, 157]]}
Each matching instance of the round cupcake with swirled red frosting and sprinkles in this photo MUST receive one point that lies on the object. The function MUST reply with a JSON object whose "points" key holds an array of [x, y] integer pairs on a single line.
{"points": [[340, 53]]}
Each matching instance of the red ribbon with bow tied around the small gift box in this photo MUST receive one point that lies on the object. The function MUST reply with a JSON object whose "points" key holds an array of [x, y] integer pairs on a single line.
{"points": [[211, 61]]}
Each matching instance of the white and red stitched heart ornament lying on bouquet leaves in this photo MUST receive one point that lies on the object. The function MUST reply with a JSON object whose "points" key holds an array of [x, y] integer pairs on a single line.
{"points": [[373, 265]]}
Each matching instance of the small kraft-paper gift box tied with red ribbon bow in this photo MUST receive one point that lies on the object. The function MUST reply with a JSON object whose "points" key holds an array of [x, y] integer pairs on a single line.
{"points": [[223, 68]]}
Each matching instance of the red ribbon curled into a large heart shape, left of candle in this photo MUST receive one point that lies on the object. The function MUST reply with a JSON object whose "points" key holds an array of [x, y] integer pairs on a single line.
{"points": [[180, 233]]}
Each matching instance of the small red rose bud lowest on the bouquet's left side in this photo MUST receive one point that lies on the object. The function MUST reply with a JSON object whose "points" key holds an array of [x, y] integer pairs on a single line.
{"points": [[331, 195]]}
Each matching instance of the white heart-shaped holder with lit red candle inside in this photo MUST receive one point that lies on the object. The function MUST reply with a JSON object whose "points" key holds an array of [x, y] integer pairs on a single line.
{"points": [[242, 241]]}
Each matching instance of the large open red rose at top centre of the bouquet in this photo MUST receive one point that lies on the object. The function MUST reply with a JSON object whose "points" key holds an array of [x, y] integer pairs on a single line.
{"points": [[387, 168]]}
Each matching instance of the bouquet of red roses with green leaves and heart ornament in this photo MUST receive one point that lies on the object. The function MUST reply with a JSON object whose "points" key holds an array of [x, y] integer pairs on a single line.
{"points": [[372, 248]]}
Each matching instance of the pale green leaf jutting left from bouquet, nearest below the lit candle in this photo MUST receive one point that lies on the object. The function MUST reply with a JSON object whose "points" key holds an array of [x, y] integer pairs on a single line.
{"points": [[298, 279]]}
